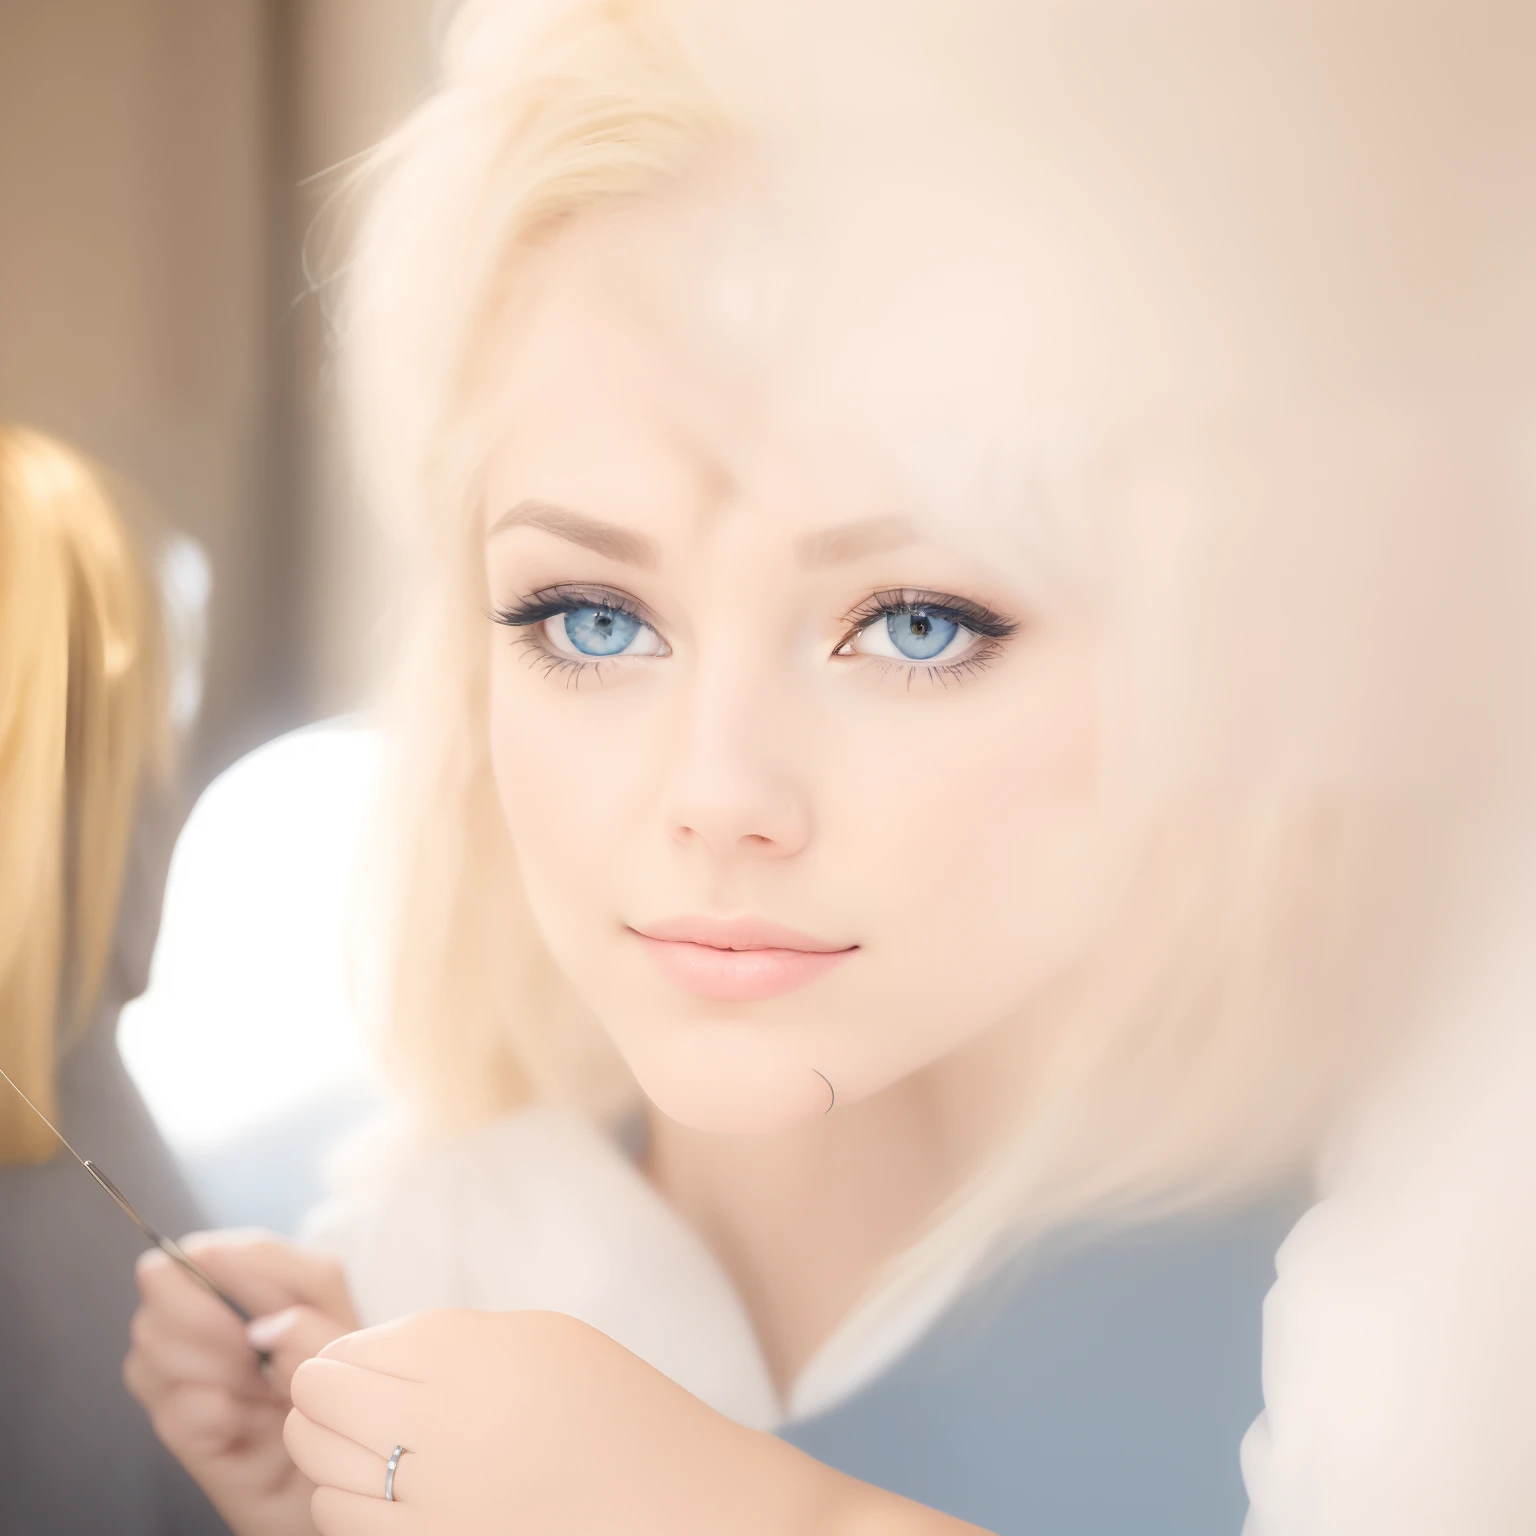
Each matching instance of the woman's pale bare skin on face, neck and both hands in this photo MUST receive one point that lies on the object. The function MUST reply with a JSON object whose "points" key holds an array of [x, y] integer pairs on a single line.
{"points": [[795, 707]]}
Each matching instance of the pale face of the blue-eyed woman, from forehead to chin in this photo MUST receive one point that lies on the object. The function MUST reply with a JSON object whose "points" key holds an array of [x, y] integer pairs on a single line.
{"points": [[804, 798]]}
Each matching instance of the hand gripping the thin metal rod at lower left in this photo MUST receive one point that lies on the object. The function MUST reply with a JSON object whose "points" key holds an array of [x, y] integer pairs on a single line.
{"points": [[194, 1368]]}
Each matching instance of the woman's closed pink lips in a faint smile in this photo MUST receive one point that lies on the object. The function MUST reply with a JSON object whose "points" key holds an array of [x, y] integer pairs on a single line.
{"points": [[738, 961]]}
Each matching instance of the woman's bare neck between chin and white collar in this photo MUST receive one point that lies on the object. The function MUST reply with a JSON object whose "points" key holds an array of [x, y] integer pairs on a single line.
{"points": [[804, 1219]]}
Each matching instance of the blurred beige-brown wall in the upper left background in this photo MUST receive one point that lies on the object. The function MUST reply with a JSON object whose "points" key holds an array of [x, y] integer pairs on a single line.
{"points": [[151, 154]]}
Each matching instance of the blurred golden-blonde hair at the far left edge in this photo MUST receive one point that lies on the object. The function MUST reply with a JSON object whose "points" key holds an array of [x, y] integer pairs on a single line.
{"points": [[82, 723]]}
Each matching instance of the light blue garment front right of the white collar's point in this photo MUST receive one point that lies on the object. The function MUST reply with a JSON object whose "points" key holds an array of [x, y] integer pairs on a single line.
{"points": [[1099, 1388]]}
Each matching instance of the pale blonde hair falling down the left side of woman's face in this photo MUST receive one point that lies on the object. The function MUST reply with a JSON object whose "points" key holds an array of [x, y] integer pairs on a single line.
{"points": [[529, 130]]}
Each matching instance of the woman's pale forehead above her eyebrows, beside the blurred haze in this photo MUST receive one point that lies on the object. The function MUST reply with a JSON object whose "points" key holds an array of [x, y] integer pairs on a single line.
{"points": [[626, 391]]}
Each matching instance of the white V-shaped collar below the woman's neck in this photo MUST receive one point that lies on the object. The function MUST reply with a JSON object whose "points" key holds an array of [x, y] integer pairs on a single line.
{"points": [[543, 1213]]}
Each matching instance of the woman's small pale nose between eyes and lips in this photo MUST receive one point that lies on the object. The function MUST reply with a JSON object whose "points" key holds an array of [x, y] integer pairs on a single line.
{"points": [[737, 787]]}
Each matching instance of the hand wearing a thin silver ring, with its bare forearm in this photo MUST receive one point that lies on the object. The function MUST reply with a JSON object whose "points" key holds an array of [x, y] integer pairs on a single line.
{"points": [[538, 1422]]}
